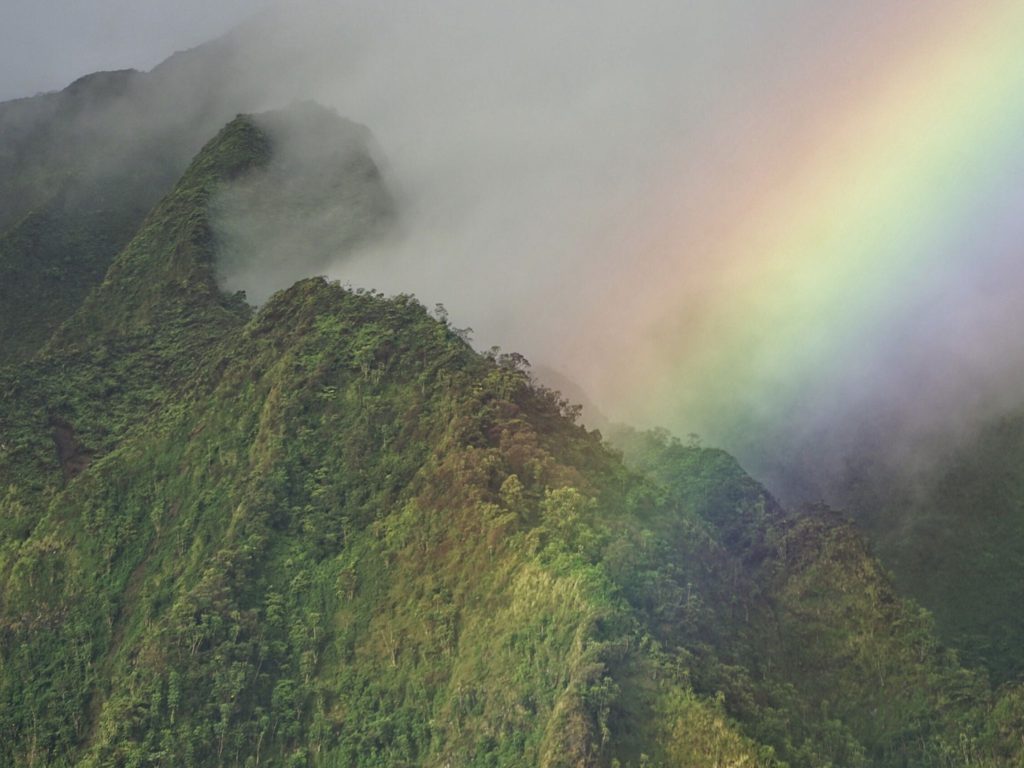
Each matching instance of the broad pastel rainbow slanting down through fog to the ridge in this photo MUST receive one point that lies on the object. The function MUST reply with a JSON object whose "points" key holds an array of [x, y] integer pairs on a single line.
{"points": [[898, 189]]}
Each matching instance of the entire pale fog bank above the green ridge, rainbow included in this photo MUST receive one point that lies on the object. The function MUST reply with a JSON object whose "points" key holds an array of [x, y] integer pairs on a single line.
{"points": [[759, 225]]}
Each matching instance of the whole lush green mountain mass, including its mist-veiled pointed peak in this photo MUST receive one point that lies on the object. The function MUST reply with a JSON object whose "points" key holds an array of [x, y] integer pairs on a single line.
{"points": [[329, 533]]}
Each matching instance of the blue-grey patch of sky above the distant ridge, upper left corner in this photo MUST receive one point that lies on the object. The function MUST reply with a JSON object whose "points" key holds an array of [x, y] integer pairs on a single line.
{"points": [[47, 45]]}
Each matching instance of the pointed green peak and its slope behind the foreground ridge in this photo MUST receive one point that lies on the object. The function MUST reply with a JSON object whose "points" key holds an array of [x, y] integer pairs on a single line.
{"points": [[143, 335]]}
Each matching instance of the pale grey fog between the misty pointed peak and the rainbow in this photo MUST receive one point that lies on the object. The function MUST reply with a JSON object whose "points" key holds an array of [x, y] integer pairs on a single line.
{"points": [[535, 149]]}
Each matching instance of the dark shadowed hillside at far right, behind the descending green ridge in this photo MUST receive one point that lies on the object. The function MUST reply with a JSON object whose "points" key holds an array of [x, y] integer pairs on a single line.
{"points": [[954, 535]]}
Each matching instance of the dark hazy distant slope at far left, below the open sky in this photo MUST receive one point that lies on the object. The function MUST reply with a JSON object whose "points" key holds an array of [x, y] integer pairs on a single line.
{"points": [[81, 168]]}
